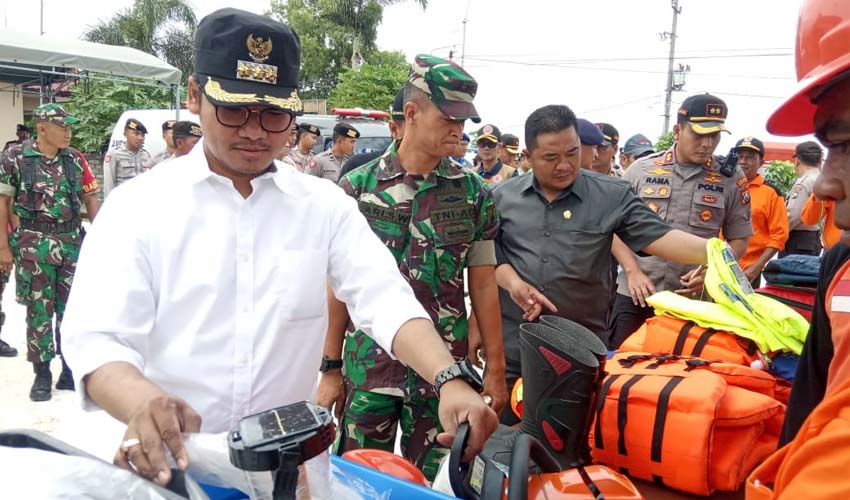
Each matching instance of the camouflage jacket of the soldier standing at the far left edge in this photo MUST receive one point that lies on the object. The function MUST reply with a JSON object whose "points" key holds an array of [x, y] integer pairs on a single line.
{"points": [[49, 201]]}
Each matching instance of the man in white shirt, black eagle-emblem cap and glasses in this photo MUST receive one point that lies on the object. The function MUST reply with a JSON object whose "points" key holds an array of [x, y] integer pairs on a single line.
{"points": [[191, 314]]}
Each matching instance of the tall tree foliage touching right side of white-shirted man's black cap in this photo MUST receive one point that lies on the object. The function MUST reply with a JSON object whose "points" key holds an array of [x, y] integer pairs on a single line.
{"points": [[329, 30]]}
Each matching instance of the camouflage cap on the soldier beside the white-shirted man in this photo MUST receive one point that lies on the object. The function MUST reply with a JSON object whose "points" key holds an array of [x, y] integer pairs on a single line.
{"points": [[450, 87]]}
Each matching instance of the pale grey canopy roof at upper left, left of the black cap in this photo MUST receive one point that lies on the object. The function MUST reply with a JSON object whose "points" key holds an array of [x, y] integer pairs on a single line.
{"points": [[22, 48]]}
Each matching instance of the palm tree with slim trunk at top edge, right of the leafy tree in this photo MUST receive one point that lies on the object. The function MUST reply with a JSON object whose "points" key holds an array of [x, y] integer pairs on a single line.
{"points": [[358, 16]]}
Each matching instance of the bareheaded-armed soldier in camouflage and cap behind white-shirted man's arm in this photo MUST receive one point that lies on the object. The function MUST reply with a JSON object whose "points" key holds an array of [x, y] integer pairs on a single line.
{"points": [[436, 219]]}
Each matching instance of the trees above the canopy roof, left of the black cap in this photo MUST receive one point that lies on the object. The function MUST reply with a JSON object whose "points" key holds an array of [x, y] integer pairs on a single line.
{"points": [[164, 28]]}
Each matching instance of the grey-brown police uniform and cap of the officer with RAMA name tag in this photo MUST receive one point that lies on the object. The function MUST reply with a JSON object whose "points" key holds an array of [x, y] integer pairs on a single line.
{"points": [[698, 199]]}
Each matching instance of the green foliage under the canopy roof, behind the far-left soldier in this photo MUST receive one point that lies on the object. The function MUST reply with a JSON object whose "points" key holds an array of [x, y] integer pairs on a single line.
{"points": [[99, 104]]}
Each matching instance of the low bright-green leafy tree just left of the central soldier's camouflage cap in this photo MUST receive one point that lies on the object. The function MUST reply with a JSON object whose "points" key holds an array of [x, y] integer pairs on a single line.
{"points": [[373, 87]]}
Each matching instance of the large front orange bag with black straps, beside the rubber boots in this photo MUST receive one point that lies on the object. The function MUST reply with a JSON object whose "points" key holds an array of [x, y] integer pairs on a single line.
{"points": [[689, 424]]}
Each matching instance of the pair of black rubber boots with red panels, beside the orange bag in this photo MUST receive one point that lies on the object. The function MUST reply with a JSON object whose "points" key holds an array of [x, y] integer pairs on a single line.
{"points": [[561, 374]]}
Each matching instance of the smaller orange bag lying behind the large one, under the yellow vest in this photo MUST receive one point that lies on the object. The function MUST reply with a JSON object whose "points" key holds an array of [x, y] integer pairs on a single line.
{"points": [[662, 334]]}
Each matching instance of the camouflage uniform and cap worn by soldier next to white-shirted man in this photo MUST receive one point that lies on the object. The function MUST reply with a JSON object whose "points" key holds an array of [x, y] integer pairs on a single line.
{"points": [[435, 226]]}
